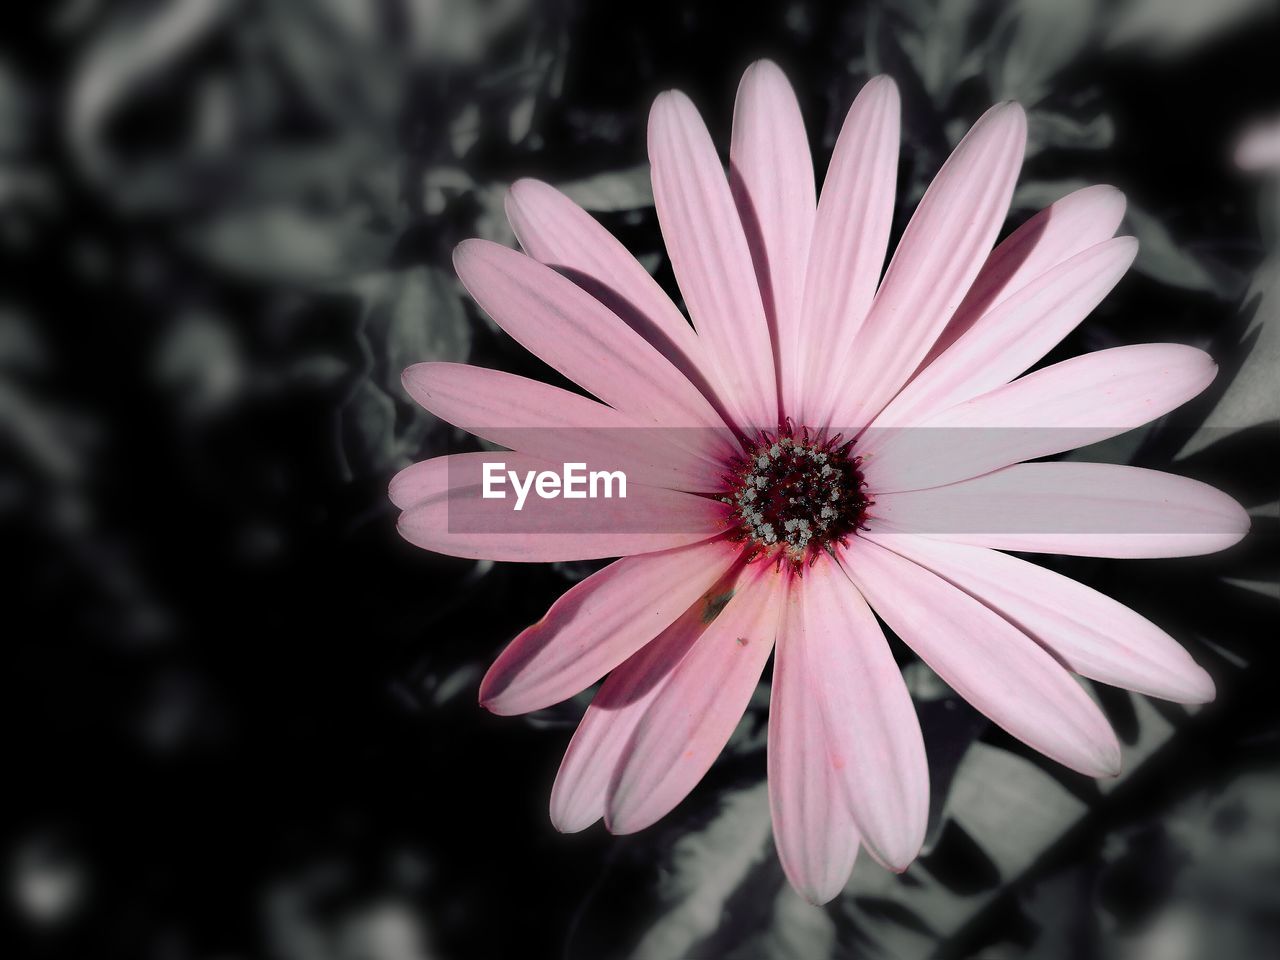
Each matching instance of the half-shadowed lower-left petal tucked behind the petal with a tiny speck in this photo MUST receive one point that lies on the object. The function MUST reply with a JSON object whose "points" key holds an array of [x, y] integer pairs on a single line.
{"points": [[597, 748]]}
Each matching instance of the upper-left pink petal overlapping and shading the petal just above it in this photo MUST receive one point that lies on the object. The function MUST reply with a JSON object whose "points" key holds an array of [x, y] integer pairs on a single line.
{"points": [[572, 331]]}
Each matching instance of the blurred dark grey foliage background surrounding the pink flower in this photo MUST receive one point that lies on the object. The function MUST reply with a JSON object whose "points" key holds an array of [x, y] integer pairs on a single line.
{"points": [[241, 714]]}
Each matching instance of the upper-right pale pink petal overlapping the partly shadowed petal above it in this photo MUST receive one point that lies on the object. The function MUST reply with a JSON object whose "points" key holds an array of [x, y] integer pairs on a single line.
{"points": [[1012, 337]]}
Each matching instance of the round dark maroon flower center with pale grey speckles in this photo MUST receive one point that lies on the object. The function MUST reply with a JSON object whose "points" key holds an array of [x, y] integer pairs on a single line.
{"points": [[794, 497]]}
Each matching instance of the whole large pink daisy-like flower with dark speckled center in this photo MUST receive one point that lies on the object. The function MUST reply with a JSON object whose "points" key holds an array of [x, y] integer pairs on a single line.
{"points": [[798, 340]]}
